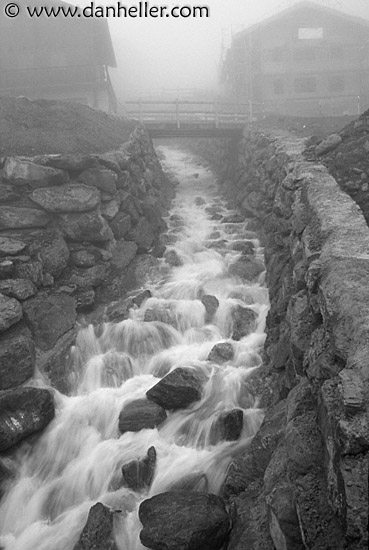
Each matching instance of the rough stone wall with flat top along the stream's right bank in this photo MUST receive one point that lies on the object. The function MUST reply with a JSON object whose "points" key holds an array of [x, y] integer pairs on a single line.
{"points": [[303, 482]]}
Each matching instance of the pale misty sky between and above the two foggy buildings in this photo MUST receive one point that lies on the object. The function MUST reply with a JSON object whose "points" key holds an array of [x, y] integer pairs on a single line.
{"points": [[185, 53]]}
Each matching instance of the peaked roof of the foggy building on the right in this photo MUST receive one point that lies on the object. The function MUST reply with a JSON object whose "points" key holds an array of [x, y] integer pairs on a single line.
{"points": [[298, 7]]}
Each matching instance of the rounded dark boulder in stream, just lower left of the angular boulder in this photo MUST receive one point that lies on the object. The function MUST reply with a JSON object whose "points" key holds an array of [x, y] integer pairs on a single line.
{"points": [[141, 414]]}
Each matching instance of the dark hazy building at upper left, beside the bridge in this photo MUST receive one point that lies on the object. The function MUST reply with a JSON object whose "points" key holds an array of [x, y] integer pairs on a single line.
{"points": [[57, 58]]}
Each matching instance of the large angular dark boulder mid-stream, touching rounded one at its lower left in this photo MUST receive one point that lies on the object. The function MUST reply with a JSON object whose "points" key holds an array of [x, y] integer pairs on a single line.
{"points": [[177, 390]]}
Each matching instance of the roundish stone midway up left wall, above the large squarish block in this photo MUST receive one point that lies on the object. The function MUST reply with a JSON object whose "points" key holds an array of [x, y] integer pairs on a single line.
{"points": [[52, 251]]}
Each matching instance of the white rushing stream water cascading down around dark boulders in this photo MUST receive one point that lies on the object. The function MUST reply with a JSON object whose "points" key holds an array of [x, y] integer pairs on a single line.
{"points": [[77, 461]]}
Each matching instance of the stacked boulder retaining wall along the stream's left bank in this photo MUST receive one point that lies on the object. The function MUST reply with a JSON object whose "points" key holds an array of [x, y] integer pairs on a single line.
{"points": [[75, 231]]}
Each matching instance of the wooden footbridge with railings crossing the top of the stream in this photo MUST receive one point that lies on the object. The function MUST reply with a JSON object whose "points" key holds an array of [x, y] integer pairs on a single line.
{"points": [[186, 118]]}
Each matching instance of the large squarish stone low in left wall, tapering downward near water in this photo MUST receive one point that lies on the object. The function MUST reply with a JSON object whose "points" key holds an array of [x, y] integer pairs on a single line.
{"points": [[49, 316]]}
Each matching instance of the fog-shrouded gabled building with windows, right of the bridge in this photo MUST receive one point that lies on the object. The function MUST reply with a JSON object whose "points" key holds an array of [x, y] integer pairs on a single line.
{"points": [[306, 60]]}
